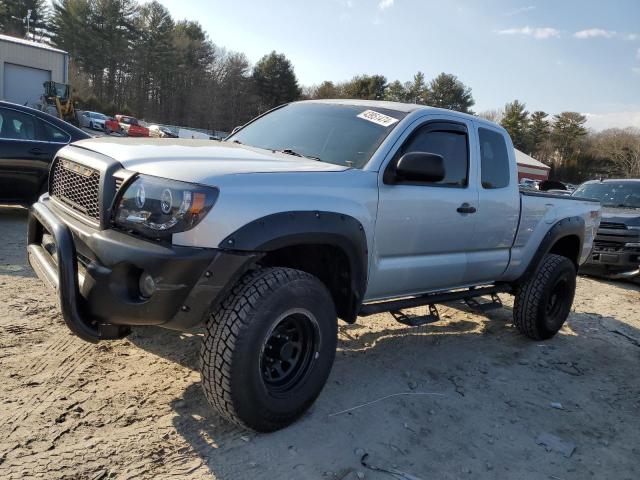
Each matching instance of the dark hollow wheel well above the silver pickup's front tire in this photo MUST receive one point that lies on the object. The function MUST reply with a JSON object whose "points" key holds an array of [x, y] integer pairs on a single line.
{"points": [[328, 263]]}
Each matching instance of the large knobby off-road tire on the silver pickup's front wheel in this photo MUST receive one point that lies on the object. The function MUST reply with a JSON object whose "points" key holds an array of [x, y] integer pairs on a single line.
{"points": [[233, 351]]}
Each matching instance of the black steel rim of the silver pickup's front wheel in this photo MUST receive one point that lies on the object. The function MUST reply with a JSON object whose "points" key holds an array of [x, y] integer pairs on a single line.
{"points": [[289, 351]]}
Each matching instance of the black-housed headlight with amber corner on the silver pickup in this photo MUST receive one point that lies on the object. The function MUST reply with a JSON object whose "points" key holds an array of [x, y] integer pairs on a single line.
{"points": [[156, 207]]}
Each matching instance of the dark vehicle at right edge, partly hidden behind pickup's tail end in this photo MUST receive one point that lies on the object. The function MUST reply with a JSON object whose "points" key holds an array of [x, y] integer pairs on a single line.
{"points": [[616, 249]]}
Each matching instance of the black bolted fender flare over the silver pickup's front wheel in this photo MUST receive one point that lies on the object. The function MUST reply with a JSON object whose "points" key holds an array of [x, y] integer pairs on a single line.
{"points": [[285, 229]]}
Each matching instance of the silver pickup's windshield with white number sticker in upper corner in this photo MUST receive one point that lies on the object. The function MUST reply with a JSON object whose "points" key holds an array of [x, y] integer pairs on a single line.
{"points": [[340, 134]]}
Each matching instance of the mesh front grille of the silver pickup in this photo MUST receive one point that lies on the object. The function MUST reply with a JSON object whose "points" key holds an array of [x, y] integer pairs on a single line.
{"points": [[77, 186]]}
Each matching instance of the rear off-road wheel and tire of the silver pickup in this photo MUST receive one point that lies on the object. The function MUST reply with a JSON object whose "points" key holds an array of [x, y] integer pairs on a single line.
{"points": [[535, 311]]}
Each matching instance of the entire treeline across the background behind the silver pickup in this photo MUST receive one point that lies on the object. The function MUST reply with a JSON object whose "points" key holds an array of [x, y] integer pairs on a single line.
{"points": [[130, 57]]}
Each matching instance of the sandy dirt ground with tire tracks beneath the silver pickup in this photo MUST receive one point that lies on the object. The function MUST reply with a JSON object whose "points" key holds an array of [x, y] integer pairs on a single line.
{"points": [[134, 408]]}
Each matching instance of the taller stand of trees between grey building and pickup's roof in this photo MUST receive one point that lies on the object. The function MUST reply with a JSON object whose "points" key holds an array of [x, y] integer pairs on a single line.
{"points": [[131, 57]]}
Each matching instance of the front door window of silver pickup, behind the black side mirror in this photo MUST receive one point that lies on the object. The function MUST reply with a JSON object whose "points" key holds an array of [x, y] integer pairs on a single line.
{"points": [[451, 144]]}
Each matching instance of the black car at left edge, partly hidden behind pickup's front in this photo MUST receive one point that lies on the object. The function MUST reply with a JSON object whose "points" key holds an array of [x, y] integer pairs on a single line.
{"points": [[29, 140]]}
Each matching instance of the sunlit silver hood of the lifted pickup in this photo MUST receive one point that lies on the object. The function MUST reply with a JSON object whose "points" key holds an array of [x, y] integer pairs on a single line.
{"points": [[198, 160]]}
